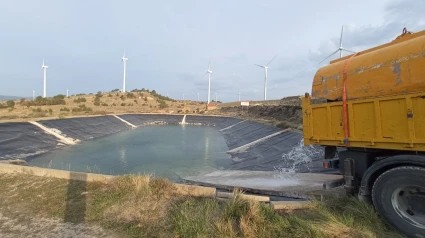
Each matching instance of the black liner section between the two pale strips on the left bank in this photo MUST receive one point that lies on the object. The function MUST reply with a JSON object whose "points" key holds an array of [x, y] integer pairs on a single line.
{"points": [[87, 128]]}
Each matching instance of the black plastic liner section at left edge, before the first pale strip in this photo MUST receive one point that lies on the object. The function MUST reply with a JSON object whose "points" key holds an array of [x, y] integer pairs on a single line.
{"points": [[21, 140]]}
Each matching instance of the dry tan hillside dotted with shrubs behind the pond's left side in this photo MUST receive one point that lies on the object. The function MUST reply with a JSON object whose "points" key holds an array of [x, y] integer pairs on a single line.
{"points": [[101, 103]]}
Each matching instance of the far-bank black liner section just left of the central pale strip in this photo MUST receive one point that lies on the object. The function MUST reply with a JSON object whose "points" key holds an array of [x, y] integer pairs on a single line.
{"points": [[146, 119]]}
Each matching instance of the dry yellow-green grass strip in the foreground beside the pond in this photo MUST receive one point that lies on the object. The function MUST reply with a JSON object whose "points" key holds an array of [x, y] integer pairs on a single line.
{"points": [[139, 206]]}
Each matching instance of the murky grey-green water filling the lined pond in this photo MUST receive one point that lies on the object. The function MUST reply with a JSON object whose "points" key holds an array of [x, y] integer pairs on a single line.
{"points": [[166, 151]]}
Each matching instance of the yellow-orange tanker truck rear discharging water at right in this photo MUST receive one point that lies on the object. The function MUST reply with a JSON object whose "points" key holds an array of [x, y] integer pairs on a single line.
{"points": [[368, 111]]}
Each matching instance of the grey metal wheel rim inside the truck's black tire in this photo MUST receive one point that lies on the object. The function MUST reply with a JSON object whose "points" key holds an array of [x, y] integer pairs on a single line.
{"points": [[409, 203]]}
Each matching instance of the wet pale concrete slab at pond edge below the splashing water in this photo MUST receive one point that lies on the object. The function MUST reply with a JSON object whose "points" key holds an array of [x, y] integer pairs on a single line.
{"points": [[295, 185]]}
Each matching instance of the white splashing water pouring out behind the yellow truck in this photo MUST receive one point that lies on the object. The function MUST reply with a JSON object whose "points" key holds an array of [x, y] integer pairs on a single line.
{"points": [[298, 155]]}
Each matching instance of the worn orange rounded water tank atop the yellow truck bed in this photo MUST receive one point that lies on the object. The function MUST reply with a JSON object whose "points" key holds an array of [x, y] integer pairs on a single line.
{"points": [[394, 68]]}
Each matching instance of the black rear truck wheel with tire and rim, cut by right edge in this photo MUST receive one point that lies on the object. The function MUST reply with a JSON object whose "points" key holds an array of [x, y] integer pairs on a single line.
{"points": [[399, 196]]}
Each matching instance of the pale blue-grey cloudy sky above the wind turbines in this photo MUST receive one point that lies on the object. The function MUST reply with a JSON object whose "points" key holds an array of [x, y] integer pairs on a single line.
{"points": [[169, 43]]}
